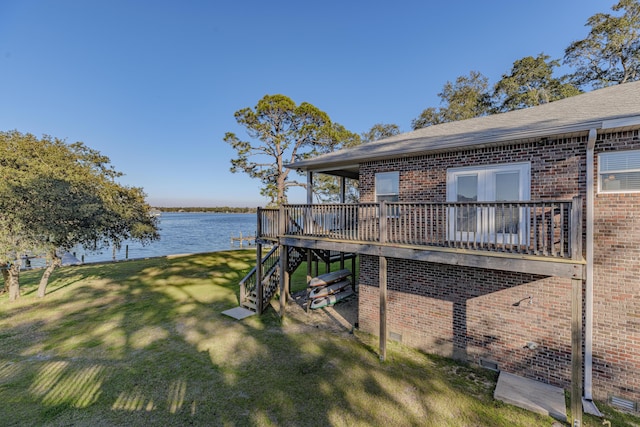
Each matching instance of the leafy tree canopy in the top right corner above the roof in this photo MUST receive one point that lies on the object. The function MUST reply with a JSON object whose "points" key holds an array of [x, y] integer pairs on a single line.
{"points": [[610, 54]]}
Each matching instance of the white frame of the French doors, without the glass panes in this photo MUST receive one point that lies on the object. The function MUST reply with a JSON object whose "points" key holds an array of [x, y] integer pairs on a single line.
{"points": [[485, 229]]}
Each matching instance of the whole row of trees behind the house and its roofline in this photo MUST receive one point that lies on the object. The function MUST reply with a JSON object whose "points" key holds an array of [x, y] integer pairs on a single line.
{"points": [[281, 132]]}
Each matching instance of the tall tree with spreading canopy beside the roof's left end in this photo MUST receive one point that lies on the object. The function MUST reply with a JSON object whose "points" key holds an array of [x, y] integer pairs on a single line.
{"points": [[282, 132]]}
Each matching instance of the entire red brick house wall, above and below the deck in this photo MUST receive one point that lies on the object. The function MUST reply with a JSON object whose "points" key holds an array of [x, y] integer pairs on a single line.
{"points": [[470, 313]]}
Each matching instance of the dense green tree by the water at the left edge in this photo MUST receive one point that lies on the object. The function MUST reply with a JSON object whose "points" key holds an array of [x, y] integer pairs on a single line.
{"points": [[54, 196]]}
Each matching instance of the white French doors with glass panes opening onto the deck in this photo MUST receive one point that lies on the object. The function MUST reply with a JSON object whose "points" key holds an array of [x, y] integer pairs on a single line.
{"points": [[501, 223]]}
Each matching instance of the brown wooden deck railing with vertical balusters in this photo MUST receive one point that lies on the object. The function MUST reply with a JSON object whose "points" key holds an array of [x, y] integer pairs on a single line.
{"points": [[550, 228]]}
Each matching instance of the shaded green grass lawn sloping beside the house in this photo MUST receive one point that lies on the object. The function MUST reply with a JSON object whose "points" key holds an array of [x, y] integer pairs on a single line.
{"points": [[144, 342]]}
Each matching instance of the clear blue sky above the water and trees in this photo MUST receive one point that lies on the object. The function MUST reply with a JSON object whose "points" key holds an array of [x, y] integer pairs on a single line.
{"points": [[154, 85]]}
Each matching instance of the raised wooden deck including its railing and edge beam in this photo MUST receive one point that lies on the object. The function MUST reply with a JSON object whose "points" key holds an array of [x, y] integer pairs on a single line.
{"points": [[538, 237]]}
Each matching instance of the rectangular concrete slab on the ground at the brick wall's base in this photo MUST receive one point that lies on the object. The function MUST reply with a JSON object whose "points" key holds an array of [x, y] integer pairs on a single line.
{"points": [[531, 395]]}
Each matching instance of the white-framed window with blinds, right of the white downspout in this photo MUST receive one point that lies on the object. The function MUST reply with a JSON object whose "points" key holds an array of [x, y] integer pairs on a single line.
{"points": [[619, 172]]}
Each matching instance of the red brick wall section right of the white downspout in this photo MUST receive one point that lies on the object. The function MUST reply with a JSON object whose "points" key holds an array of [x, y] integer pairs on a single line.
{"points": [[616, 325]]}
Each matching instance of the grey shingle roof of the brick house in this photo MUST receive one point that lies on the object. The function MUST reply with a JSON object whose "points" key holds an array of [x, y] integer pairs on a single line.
{"points": [[598, 109]]}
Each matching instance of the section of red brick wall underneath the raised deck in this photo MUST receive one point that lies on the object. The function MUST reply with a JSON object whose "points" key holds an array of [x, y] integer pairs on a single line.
{"points": [[473, 314]]}
